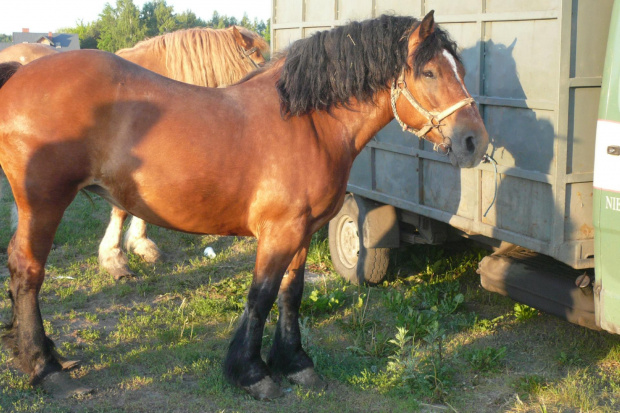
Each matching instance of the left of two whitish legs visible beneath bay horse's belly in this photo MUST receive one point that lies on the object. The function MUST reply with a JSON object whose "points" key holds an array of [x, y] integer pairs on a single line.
{"points": [[111, 257]]}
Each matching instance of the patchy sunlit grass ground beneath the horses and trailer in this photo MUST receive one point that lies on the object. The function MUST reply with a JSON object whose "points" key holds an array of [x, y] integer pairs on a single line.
{"points": [[428, 339]]}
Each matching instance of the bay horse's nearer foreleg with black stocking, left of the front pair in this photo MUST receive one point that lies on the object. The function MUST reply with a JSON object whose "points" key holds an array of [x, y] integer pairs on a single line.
{"points": [[243, 365]]}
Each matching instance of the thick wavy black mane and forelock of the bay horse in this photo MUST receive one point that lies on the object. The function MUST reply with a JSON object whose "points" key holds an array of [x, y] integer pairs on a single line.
{"points": [[356, 61]]}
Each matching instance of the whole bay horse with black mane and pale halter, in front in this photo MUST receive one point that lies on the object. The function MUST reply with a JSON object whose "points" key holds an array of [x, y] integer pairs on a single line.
{"points": [[268, 157]]}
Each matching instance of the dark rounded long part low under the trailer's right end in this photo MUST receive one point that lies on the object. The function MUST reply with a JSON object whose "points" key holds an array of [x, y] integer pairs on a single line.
{"points": [[540, 282]]}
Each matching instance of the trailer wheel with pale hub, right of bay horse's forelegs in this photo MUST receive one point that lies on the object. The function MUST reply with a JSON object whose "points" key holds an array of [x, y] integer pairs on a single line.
{"points": [[354, 262]]}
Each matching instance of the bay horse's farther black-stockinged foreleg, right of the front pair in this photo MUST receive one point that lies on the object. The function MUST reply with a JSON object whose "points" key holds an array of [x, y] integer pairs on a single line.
{"points": [[287, 356]]}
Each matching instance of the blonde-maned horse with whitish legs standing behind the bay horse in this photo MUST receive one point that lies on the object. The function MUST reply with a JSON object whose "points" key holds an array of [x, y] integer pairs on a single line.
{"points": [[199, 56]]}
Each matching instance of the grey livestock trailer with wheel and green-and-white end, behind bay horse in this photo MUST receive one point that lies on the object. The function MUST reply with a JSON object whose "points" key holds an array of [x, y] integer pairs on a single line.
{"points": [[535, 69]]}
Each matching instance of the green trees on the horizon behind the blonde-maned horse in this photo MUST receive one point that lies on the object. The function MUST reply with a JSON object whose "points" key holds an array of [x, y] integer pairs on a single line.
{"points": [[124, 25]]}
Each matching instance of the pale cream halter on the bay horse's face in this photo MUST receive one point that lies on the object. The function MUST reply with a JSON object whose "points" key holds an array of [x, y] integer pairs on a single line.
{"points": [[434, 118]]}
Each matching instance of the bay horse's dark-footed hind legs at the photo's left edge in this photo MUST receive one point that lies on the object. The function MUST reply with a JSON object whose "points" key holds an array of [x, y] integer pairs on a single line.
{"points": [[25, 336]]}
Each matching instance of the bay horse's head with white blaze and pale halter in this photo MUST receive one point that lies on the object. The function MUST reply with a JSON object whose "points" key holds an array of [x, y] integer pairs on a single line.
{"points": [[430, 99]]}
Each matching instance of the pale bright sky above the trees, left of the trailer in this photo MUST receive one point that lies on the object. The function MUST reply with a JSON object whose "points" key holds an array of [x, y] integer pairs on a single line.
{"points": [[42, 16]]}
